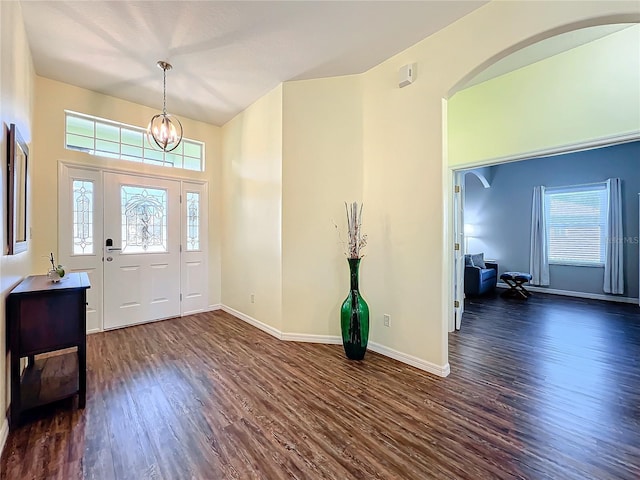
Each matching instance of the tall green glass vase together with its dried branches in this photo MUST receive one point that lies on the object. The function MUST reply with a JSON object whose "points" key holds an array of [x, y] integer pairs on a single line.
{"points": [[354, 316]]}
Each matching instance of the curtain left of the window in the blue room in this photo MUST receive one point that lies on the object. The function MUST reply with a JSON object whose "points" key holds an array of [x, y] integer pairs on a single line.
{"points": [[539, 260]]}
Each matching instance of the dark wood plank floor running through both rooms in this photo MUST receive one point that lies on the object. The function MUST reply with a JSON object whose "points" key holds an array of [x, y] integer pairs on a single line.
{"points": [[547, 388]]}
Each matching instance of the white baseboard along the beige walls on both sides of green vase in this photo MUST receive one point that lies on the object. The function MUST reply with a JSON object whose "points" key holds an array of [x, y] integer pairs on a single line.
{"points": [[441, 371]]}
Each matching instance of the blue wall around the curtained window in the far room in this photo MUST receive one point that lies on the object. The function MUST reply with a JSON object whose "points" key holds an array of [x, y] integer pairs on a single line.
{"points": [[501, 214]]}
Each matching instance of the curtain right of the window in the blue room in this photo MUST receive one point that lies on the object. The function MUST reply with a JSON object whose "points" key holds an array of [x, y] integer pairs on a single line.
{"points": [[613, 265]]}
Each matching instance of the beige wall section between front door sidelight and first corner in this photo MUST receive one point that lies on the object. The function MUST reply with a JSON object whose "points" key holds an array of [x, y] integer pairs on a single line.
{"points": [[252, 205]]}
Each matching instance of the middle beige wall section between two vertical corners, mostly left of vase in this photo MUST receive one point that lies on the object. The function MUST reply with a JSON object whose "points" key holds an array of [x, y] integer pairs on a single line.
{"points": [[322, 168]]}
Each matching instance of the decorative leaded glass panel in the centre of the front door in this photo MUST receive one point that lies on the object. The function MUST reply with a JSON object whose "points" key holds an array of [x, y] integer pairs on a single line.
{"points": [[144, 219]]}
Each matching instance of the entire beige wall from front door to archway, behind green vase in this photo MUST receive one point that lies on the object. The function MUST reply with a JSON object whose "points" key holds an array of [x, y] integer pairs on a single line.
{"points": [[362, 138]]}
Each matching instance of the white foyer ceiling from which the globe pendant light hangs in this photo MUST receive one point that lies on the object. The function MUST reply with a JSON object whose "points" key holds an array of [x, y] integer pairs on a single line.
{"points": [[225, 55]]}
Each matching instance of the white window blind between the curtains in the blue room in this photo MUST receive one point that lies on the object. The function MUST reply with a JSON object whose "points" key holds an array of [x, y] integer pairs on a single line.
{"points": [[576, 224]]}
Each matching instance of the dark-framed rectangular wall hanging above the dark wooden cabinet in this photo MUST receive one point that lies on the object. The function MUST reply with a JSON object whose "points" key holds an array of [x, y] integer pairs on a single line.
{"points": [[17, 158]]}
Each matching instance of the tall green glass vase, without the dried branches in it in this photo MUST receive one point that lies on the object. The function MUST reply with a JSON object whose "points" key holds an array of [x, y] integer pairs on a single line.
{"points": [[354, 318]]}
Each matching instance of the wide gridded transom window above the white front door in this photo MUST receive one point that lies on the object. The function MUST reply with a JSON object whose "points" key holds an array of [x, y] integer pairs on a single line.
{"points": [[106, 138]]}
